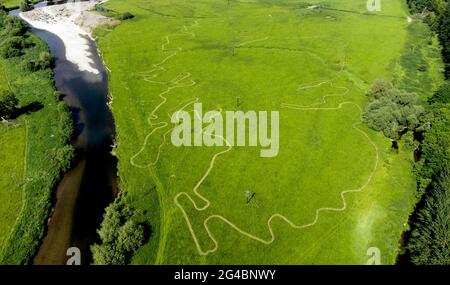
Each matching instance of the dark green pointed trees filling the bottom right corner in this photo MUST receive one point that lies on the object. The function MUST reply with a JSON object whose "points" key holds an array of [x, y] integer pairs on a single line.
{"points": [[430, 238]]}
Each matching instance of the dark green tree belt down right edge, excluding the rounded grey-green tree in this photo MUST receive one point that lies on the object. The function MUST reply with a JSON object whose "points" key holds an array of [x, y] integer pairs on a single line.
{"points": [[430, 234]]}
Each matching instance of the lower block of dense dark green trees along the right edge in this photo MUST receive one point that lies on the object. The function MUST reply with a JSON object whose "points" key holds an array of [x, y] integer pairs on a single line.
{"points": [[429, 242]]}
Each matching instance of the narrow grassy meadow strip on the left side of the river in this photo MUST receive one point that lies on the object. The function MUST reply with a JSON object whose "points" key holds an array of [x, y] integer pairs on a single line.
{"points": [[27, 179]]}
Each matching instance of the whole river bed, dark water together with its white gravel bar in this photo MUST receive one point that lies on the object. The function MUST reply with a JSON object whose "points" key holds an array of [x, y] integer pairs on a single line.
{"points": [[80, 77]]}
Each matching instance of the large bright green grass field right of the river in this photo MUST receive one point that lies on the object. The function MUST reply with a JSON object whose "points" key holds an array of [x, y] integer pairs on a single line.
{"points": [[314, 67]]}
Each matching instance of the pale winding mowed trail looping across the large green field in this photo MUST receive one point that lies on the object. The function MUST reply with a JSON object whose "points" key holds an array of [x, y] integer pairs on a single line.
{"points": [[182, 81]]}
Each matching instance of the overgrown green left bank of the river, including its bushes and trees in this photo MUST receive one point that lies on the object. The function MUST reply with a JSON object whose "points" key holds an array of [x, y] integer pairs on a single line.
{"points": [[47, 124]]}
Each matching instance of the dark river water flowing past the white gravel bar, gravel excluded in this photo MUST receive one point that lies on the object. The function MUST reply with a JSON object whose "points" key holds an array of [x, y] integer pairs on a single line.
{"points": [[85, 190]]}
